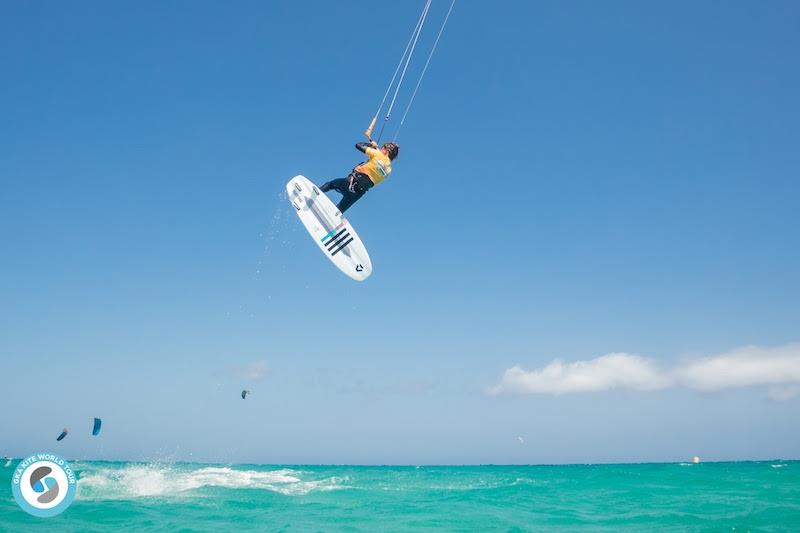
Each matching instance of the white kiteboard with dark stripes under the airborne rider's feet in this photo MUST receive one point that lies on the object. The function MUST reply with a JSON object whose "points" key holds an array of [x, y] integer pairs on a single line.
{"points": [[330, 230]]}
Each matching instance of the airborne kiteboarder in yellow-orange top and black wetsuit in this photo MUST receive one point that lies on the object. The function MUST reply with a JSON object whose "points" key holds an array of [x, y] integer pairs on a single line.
{"points": [[366, 175]]}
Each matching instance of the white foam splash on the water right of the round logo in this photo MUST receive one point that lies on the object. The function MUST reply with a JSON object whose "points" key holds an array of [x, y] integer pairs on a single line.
{"points": [[158, 480]]}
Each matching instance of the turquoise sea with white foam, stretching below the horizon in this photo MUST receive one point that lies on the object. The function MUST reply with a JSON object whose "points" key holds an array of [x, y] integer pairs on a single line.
{"points": [[122, 496]]}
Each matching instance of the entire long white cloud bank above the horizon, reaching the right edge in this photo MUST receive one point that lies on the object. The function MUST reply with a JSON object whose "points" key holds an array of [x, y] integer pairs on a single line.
{"points": [[777, 368]]}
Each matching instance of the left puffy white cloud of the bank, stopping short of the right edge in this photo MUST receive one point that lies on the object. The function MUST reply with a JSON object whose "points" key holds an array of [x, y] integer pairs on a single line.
{"points": [[615, 370]]}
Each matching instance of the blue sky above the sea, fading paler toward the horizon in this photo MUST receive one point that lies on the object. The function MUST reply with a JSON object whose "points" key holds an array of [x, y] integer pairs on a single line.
{"points": [[576, 179]]}
